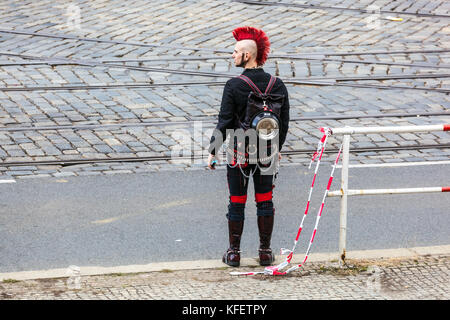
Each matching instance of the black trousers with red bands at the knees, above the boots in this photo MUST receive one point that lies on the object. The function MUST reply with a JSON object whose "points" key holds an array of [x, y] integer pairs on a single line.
{"points": [[238, 179]]}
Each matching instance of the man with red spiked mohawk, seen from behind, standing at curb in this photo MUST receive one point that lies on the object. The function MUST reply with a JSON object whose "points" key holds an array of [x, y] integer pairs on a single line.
{"points": [[250, 52]]}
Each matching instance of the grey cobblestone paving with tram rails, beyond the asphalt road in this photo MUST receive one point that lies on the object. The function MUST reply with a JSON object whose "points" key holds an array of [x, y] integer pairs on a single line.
{"points": [[154, 42]]}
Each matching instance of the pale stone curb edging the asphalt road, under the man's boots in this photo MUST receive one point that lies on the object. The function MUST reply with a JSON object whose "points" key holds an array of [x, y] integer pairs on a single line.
{"points": [[212, 264]]}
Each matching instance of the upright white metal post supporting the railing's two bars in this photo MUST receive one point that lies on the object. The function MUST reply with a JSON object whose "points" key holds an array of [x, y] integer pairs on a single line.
{"points": [[344, 188]]}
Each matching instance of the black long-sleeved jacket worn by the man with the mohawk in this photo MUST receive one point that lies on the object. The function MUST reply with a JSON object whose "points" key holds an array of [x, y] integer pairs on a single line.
{"points": [[234, 104]]}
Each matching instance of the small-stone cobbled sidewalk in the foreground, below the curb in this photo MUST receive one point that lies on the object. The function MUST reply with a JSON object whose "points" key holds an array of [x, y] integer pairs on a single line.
{"points": [[421, 278]]}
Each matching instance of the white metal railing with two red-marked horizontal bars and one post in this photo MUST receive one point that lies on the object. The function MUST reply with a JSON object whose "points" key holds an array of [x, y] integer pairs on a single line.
{"points": [[344, 192]]}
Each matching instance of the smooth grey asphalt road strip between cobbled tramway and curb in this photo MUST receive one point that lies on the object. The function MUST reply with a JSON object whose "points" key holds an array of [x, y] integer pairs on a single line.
{"points": [[175, 216]]}
